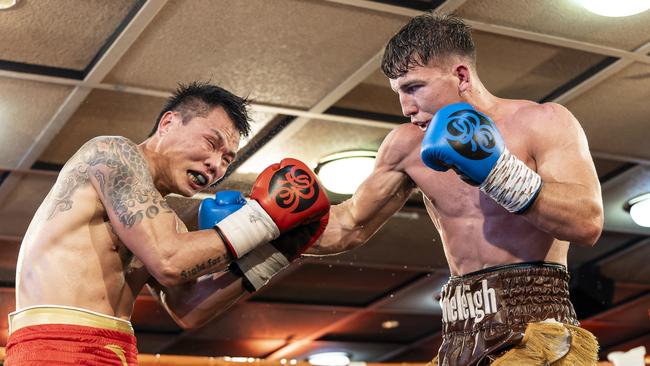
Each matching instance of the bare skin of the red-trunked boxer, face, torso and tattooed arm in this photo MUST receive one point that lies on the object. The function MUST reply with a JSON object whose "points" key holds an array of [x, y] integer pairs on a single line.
{"points": [[105, 230]]}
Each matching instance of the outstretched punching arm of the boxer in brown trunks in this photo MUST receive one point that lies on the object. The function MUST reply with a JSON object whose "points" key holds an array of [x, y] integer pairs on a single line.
{"points": [[382, 194]]}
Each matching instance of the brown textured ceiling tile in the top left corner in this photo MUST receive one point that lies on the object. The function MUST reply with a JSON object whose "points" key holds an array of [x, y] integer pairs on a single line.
{"points": [[65, 34]]}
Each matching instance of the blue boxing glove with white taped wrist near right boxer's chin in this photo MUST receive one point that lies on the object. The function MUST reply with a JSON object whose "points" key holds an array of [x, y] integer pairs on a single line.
{"points": [[463, 139]]}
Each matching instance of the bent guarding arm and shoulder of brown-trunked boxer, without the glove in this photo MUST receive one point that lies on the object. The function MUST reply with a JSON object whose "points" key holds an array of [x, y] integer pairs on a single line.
{"points": [[569, 204]]}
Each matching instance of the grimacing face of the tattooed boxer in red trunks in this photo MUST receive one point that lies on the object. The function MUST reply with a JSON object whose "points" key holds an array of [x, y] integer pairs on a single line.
{"points": [[198, 152]]}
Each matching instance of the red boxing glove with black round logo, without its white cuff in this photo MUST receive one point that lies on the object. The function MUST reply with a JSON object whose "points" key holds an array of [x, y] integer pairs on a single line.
{"points": [[290, 194]]}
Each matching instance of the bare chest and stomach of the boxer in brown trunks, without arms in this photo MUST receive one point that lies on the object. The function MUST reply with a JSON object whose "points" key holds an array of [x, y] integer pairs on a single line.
{"points": [[476, 232]]}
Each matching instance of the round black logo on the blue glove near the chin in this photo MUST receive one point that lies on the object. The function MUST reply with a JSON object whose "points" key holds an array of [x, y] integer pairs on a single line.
{"points": [[471, 134]]}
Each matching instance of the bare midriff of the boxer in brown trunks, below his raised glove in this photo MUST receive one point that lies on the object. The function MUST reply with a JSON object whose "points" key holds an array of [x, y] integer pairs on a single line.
{"points": [[478, 233]]}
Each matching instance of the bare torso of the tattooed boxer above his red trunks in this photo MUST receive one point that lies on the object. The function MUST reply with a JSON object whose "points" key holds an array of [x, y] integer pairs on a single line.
{"points": [[72, 256]]}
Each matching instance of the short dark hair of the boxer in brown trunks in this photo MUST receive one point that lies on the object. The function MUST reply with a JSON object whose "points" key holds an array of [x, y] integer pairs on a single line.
{"points": [[424, 38]]}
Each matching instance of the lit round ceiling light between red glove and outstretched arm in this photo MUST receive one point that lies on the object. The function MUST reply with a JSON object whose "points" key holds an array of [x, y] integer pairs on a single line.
{"points": [[343, 172]]}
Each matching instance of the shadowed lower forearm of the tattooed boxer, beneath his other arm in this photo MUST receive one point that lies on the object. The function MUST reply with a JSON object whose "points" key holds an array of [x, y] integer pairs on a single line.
{"points": [[192, 305]]}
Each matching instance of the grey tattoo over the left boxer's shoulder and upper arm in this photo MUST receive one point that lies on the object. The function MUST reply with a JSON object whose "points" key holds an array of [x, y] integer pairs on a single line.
{"points": [[123, 177]]}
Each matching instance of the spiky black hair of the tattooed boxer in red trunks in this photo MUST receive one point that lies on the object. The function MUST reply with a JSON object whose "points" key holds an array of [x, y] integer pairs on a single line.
{"points": [[200, 98]]}
